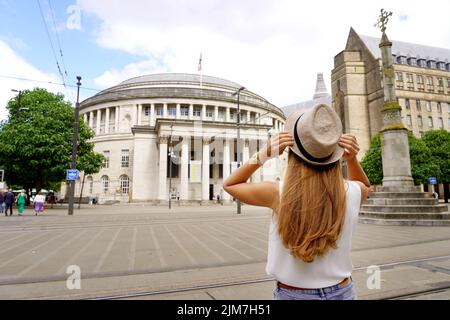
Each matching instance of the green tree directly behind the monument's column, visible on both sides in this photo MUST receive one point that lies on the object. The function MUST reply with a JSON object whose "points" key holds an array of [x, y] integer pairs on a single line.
{"points": [[422, 167]]}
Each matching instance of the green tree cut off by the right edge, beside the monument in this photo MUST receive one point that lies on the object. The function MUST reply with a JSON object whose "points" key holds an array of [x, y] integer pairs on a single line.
{"points": [[438, 141]]}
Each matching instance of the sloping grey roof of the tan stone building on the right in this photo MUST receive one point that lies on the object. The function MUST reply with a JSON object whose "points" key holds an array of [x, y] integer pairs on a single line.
{"points": [[407, 49]]}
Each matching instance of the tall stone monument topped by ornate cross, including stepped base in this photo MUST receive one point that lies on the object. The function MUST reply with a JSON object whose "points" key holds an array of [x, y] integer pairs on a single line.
{"points": [[398, 201]]}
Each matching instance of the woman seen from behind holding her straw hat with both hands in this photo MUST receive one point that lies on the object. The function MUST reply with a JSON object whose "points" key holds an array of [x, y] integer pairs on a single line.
{"points": [[314, 212]]}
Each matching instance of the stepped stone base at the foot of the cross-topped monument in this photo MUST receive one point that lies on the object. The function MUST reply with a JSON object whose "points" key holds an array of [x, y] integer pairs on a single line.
{"points": [[404, 206]]}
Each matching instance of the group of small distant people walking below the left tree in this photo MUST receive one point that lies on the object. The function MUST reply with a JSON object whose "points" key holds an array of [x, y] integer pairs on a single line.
{"points": [[8, 199]]}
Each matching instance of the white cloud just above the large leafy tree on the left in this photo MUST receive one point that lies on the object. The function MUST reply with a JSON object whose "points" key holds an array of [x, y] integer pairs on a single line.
{"points": [[13, 65]]}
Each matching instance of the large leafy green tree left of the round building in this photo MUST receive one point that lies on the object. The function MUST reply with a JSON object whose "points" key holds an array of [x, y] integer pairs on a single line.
{"points": [[36, 141]]}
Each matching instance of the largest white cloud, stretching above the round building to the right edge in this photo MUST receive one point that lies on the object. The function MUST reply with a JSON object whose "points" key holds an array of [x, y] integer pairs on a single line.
{"points": [[274, 48]]}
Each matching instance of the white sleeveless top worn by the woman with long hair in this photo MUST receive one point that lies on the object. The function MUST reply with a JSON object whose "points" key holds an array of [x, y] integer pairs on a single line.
{"points": [[326, 270]]}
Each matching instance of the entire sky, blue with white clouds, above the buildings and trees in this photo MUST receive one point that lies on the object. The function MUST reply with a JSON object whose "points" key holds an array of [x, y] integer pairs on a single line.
{"points": [[273, 47]]}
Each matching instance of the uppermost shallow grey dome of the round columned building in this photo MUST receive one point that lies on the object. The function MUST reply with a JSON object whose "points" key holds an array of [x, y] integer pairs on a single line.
{"points": [[180, 77]]}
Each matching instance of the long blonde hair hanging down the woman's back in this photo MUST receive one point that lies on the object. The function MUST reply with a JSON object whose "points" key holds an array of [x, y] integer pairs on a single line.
{"points": [[312, 208]]}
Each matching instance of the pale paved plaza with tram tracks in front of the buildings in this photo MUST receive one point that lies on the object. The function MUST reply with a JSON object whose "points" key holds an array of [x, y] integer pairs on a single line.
{"points": [[207, 252]]}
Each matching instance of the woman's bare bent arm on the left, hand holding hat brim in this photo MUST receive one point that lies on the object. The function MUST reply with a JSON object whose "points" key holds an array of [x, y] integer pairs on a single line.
{"points": [[264, 194]]}
